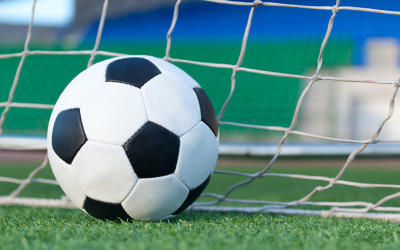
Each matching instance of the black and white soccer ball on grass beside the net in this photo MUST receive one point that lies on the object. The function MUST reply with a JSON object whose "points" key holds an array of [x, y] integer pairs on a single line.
{"points": [[133, 138]]}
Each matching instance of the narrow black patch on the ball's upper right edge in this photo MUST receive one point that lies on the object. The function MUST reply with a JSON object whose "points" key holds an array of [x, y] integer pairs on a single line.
{"points": [[207, 111]]}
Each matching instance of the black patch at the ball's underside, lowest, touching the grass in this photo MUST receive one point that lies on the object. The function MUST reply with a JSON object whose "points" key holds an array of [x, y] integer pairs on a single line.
{"points": [[105, 211]]}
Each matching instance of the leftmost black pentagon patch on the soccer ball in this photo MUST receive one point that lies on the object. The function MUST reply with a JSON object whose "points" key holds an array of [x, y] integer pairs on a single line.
{"points": [[68, 134]]}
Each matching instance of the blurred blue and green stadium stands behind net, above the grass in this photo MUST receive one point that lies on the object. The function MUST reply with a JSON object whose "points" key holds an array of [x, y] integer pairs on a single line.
{"points": [[286, 40]]}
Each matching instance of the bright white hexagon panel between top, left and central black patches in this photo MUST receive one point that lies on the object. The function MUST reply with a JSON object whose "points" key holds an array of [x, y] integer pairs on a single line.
{"points": [[113, 113]]}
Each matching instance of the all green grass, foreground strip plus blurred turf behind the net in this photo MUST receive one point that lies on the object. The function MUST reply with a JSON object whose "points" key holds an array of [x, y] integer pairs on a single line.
{"points": [[48, 228]]}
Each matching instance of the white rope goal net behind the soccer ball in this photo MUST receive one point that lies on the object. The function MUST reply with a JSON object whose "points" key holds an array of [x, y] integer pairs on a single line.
{"points": [[352, 209]]}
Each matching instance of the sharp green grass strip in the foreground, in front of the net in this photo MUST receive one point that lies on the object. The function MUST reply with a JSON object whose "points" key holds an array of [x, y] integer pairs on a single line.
{"points": [[38, 228]]}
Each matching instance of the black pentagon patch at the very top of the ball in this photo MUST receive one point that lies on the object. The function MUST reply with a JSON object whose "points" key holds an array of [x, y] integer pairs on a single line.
{"points": [[133, 71]]}
